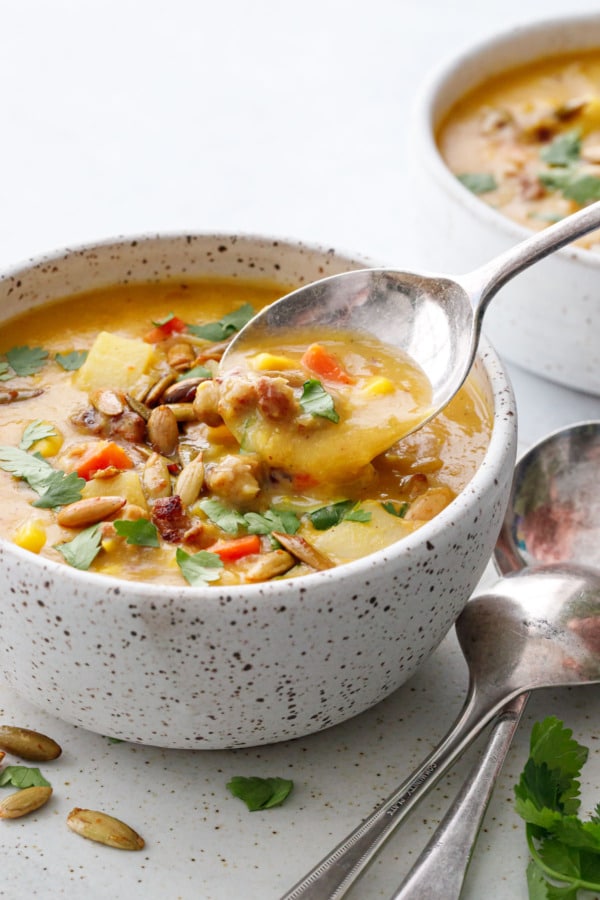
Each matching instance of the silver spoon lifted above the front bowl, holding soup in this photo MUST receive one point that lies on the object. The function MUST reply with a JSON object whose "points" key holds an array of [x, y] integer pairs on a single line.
{"points": [[435, 319]]}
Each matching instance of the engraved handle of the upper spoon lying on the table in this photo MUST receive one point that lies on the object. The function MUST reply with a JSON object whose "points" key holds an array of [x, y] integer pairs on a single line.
{"points": [[337, 872]]}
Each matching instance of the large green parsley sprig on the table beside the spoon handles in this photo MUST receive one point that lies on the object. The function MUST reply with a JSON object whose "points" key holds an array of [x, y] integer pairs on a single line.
{"points": [[565, 850]]}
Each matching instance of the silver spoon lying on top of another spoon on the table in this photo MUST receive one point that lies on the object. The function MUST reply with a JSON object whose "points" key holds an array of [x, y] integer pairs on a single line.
{"points": [[536, 628]]}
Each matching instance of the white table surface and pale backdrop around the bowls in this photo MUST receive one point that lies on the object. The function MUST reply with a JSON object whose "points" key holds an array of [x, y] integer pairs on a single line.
{"points": [[283, 119]]}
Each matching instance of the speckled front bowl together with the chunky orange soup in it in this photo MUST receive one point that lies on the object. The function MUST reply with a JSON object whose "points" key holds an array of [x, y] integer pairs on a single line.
{"points": [[186, 576]]}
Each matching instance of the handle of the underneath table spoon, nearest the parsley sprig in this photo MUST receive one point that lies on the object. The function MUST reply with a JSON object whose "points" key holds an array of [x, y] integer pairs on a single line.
{"points": [[446, 857]]}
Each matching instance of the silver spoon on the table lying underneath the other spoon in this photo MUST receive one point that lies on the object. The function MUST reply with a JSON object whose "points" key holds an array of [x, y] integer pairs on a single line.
{"points": [[553, 515]]}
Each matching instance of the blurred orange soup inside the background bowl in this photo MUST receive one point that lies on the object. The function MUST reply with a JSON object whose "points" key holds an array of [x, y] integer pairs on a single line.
{"points": [[528, 141]]}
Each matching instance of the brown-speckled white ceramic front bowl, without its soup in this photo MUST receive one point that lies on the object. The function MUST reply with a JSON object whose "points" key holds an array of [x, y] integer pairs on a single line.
{"points": [[212, 668]]}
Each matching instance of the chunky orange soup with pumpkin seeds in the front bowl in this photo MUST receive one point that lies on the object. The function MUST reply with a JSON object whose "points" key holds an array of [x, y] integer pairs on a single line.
{"points": [[117, 456]]}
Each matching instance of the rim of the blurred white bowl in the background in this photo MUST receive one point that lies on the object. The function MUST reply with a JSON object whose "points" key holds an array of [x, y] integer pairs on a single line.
{"points": [[426, 114]]}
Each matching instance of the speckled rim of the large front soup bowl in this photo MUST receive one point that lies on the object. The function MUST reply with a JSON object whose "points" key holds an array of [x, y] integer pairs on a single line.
{"points": [[502, 442]]}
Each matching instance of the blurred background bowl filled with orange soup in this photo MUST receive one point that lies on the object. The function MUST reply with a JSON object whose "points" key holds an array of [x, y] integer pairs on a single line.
{"points": [[546, 319]]}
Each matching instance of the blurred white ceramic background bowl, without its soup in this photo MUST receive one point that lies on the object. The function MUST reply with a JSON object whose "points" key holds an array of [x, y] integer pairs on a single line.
{"points": [[548, 319]]}
